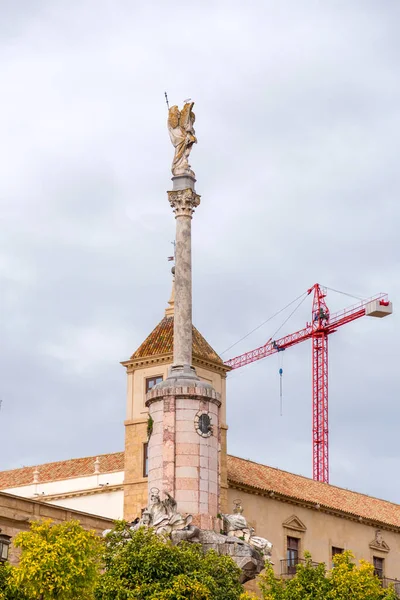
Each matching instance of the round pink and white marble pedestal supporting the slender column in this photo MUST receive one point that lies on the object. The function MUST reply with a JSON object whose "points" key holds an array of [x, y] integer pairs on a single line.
{"points": [[183, 460]]}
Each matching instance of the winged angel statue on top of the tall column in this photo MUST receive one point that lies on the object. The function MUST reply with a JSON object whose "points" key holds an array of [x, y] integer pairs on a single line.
{"points": [[182, 134]]}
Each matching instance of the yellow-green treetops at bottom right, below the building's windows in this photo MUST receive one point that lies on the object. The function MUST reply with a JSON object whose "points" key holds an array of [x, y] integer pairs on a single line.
{"points": [[344, 581]]}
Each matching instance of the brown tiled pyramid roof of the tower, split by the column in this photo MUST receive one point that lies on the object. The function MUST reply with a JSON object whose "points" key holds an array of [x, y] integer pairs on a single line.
{"points": [[161, 341]]}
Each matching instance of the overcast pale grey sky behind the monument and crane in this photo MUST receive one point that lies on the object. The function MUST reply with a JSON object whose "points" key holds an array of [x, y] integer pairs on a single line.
{"points": [[298, 124]]}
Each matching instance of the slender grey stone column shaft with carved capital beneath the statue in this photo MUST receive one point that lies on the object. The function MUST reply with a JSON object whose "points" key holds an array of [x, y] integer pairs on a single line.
{"points": [[183, 202]]}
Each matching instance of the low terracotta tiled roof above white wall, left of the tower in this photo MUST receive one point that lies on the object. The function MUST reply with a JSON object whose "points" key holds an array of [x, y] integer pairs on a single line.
{"points": [[65, 469]]}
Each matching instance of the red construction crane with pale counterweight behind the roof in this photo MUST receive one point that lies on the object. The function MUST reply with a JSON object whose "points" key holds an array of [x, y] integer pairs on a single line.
{"points": [[322, 324]]}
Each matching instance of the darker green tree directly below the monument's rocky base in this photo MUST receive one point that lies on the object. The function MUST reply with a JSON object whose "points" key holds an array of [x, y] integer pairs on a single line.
{"points": [[142, 566]]}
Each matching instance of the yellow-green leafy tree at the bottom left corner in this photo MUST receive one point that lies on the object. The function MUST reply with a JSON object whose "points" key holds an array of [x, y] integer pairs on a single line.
{"points": [[58, 561]]}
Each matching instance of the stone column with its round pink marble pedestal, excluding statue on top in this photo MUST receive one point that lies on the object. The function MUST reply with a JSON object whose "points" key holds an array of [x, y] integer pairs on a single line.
{"points": [[185, 444]]}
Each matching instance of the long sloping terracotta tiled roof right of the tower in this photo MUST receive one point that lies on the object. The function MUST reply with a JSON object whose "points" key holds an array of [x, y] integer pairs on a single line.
{"points": [[254, 475]]}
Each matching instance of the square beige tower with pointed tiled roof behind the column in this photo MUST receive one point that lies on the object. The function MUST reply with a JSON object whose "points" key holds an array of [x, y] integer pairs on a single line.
{"points": [[148, 366]]}
